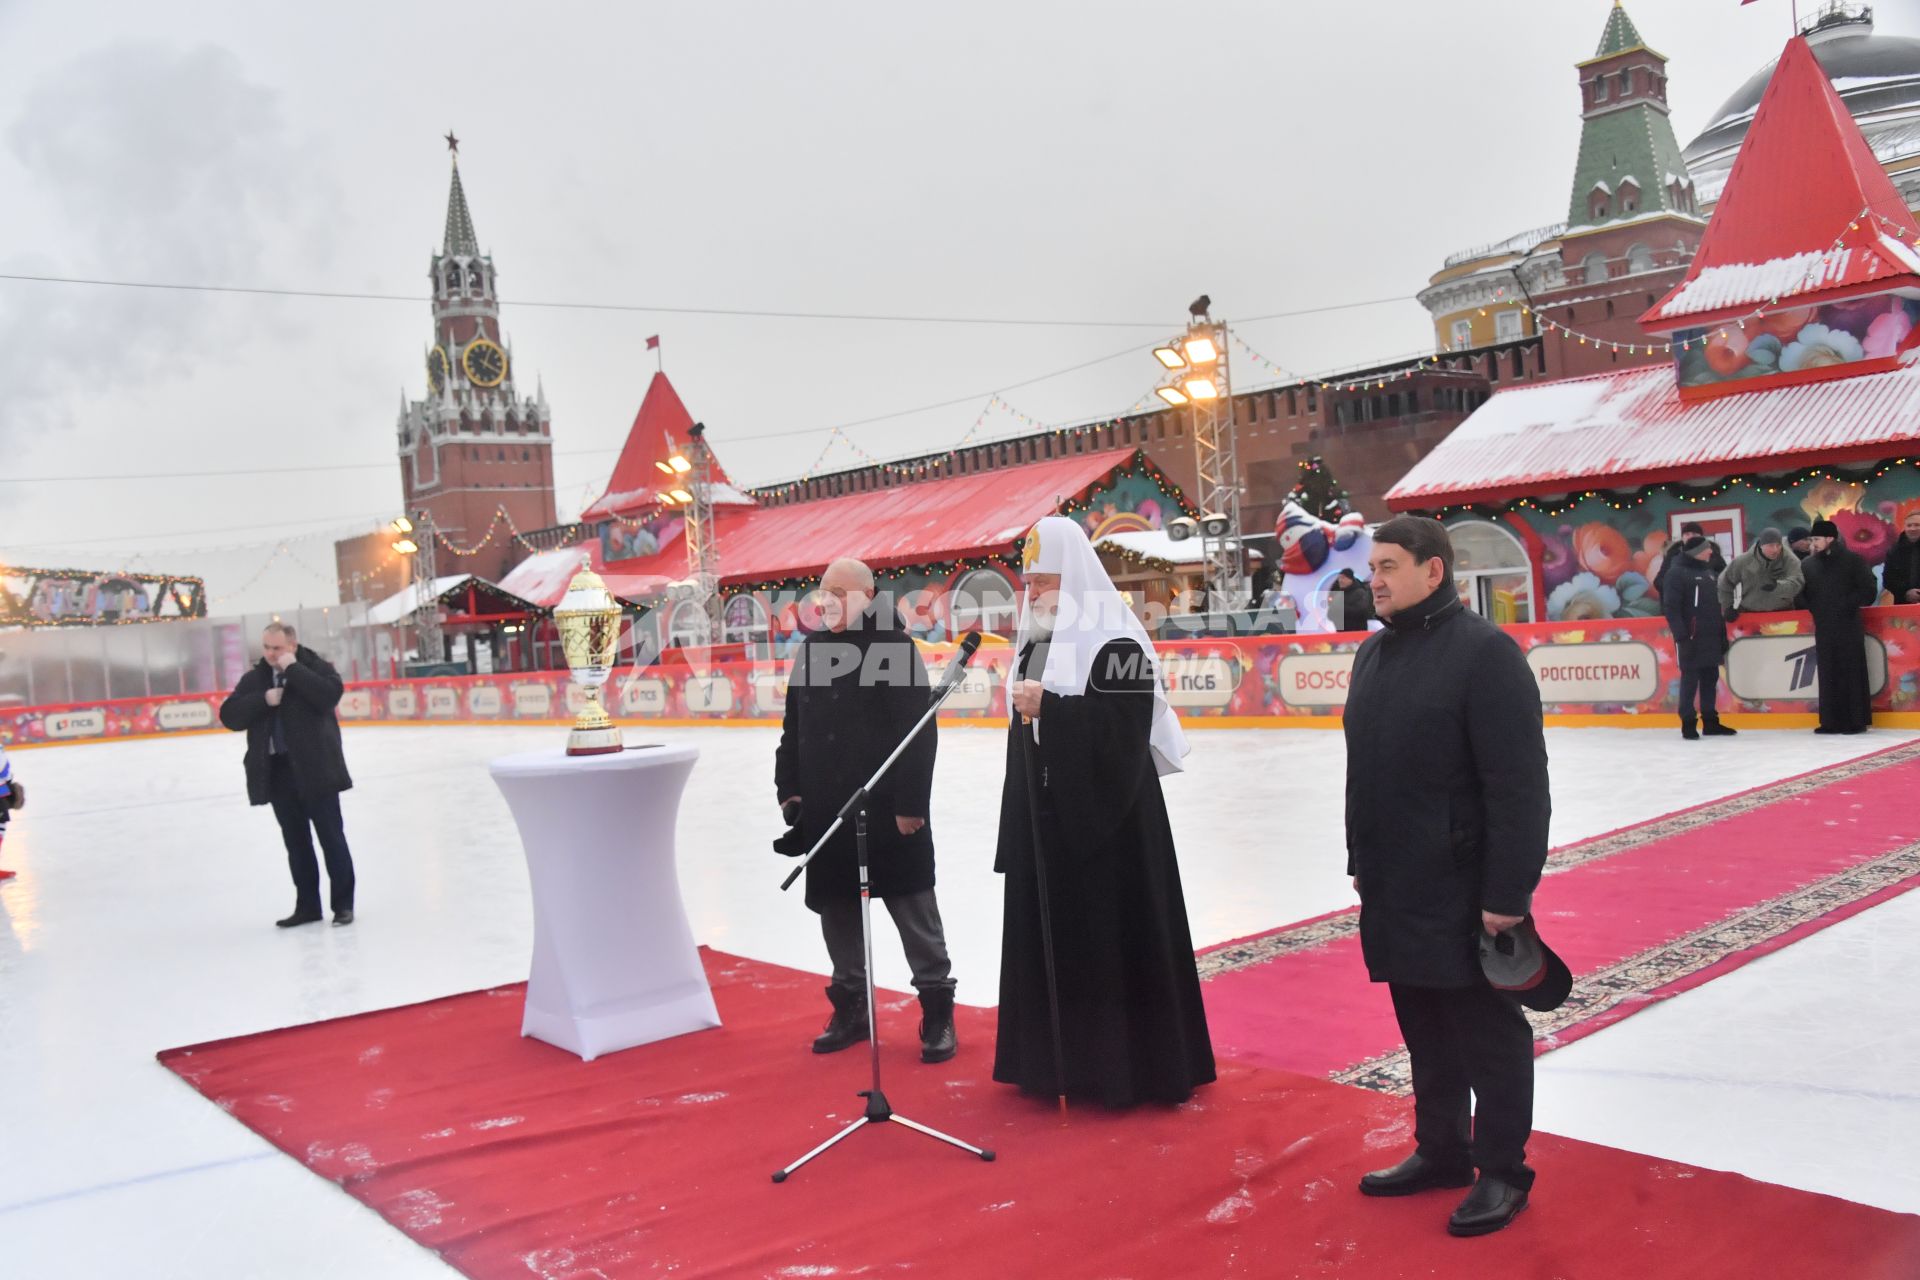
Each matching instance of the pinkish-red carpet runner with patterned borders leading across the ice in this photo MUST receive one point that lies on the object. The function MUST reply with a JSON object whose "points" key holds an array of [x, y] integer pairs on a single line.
{"points": [[1637, 914]]}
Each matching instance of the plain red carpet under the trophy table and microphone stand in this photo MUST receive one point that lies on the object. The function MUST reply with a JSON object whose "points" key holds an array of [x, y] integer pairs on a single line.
{"points": [[512, 1158]]}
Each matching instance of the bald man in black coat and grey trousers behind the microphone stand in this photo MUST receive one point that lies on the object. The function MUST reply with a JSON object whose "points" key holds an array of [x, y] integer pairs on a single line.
{"points": [[853, 694]]}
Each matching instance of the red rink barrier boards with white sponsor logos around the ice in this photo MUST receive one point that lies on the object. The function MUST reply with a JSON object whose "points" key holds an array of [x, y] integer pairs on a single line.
{"points": [[1618, 673]]}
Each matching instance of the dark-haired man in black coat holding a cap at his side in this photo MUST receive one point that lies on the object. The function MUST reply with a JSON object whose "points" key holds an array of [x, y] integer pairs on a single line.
{"points": [[1447, 832]]}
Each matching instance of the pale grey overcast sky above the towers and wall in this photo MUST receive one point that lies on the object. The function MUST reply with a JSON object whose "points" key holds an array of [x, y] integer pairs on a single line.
{"points": [[996, 160]]}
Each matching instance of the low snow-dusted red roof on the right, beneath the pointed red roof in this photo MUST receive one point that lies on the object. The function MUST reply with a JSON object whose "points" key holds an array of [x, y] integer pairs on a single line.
{"points": [[1633, 429]]}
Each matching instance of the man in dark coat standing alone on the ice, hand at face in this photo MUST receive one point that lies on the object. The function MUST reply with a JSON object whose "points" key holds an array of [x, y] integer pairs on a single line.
{"points": [[295, 763]]}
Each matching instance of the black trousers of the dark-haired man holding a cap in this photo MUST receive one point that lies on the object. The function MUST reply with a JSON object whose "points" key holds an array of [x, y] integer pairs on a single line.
{"points": [[1474, 1078]]}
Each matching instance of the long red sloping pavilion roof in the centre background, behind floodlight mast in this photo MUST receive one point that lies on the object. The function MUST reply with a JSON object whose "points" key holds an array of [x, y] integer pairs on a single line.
{"points": [[926, 523]]}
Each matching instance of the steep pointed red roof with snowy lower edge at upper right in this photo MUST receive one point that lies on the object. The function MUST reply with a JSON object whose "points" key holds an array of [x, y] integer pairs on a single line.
{"points": [[1802, 183]]}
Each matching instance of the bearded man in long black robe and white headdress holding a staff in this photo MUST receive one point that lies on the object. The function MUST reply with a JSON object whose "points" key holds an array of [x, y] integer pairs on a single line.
{"points": [[1088, 740]]}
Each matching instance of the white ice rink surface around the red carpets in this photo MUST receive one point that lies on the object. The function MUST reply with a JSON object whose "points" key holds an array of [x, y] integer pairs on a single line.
{"points": [[143, 920]]}
